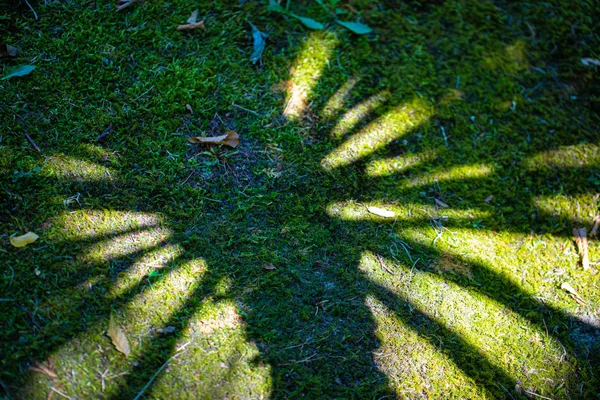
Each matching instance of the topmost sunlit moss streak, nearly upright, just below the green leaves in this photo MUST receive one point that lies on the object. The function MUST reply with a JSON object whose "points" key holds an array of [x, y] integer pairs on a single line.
{"points": [[306, 71]]}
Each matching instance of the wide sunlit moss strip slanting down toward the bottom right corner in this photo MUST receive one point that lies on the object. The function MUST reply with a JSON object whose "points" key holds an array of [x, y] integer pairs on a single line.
{"points": [[456, 311]]}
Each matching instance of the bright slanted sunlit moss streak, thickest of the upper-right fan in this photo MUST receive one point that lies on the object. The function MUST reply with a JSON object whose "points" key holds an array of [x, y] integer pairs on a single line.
{"points": [[379, 133]]}
